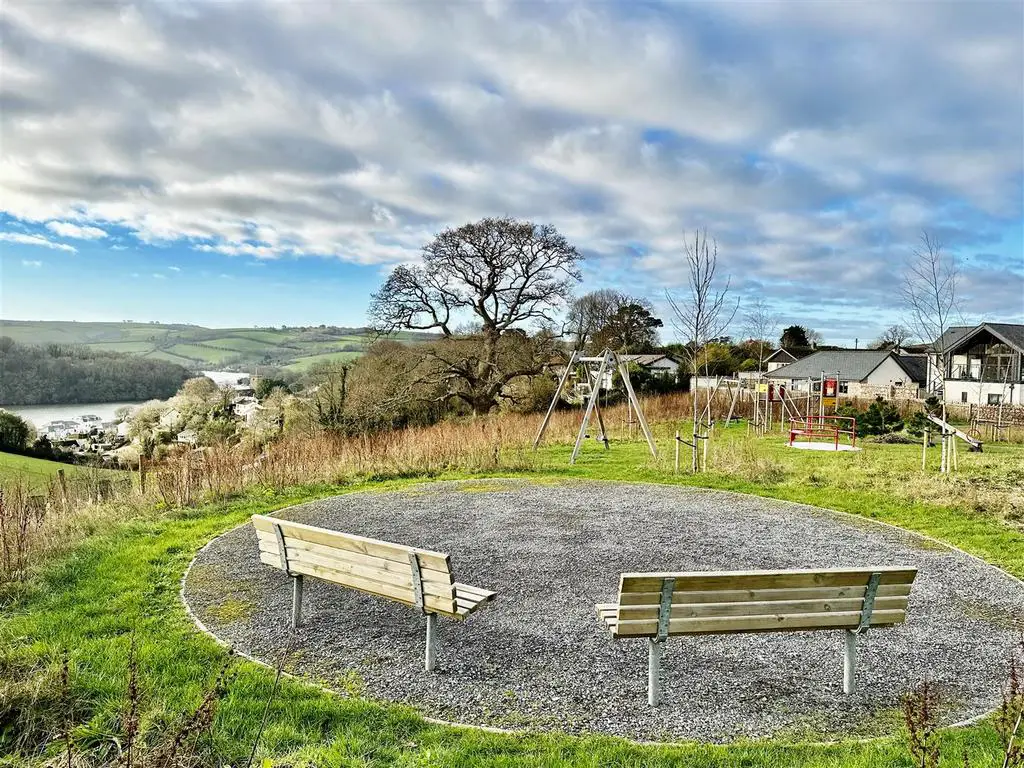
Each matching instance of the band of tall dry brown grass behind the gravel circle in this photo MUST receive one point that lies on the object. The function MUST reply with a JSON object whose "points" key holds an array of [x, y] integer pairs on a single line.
{"points": [[36, 522]]}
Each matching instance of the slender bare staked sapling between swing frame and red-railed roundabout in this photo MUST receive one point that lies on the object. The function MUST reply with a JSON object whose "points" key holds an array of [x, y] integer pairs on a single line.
{"points": [[704, 315]]}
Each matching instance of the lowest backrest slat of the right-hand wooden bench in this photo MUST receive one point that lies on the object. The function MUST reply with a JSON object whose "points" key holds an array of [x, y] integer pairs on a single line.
{"points": [[783, 623]]}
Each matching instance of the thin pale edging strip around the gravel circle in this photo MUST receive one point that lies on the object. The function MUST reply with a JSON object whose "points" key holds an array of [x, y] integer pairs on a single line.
{"points": [[492, 730]]}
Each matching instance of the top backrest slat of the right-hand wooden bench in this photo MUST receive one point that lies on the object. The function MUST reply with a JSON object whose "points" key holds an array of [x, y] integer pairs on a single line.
{"points": [[699, 582]]}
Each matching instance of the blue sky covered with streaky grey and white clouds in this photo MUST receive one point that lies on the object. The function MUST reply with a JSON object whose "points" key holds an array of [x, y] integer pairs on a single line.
{"points": [[244, 163]]}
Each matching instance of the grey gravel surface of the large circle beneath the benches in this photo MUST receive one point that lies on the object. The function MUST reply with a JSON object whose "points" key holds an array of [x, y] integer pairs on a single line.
{"points": [[537, 659]]}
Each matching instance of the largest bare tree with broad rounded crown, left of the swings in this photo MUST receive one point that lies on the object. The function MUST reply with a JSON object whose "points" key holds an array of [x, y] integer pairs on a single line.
{"points": [[505, 275]]}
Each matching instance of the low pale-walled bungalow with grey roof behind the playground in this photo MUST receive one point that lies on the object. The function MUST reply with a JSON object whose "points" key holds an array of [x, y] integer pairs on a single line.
{"points": [[862, 373]]}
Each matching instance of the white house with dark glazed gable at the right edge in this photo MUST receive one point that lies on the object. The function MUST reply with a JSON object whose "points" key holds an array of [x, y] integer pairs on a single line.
{"points": [[979, 365]]}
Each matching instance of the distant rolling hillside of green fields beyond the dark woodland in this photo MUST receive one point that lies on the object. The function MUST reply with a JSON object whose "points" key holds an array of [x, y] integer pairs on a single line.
{"points": [[196, 348]]}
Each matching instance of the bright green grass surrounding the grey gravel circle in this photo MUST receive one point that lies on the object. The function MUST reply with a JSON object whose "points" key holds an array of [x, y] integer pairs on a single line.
{"points": [[127, 578]]}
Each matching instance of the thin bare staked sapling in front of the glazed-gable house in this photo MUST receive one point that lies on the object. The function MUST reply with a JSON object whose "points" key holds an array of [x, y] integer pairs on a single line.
{"points": [[929, 292]]}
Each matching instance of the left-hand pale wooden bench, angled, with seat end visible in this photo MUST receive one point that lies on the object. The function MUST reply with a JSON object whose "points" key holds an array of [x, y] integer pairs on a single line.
{"points": [[417, 578]]}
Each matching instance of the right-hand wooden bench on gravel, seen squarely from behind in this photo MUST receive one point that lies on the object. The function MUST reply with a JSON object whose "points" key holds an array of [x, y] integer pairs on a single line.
{"points": [[660, 606]]}
